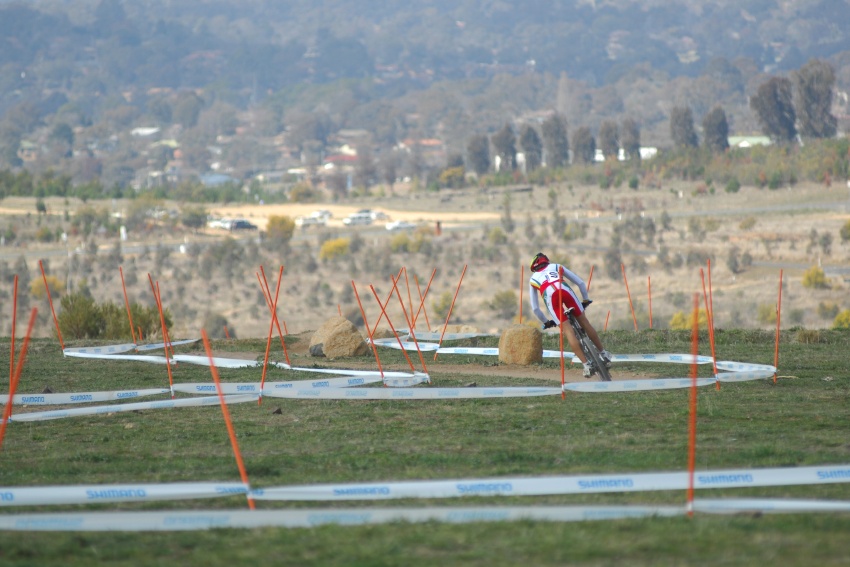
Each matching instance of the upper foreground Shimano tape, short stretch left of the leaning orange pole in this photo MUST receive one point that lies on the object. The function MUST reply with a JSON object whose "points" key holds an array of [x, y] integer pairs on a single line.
{"points": [[97, 493]]}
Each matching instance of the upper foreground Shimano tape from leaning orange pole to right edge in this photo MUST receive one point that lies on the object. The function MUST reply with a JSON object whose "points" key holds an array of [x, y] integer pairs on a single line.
{"points": [[559, 485]]}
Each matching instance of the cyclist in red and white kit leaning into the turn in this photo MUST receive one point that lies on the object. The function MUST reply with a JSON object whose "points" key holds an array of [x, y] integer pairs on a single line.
{"points": [[550, 281]]}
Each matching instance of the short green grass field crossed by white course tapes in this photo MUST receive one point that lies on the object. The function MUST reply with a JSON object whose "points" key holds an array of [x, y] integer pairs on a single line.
{"points": [[801, 420]]}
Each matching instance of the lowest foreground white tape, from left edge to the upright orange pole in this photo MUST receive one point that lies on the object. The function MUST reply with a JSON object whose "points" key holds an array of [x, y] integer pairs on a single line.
{"points": [[177, 521]]}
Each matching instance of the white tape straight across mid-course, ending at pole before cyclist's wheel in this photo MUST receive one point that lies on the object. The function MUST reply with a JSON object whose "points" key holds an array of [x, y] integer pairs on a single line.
{"points": [[412, 393]]}
